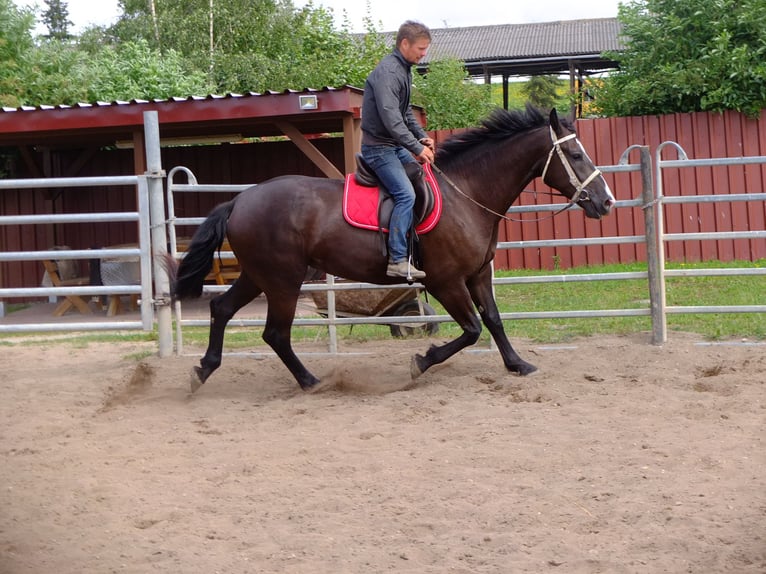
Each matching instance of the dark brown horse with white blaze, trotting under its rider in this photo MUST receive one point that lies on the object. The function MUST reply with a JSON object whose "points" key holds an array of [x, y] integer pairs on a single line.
{"points": [[281, 228]]}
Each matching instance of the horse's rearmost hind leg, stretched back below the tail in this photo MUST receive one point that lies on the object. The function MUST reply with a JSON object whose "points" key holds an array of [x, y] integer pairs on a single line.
{"points": [[222, 309]]}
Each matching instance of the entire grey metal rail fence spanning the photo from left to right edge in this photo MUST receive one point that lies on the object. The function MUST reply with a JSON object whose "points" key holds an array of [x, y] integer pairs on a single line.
{"points": [[651, 203]]}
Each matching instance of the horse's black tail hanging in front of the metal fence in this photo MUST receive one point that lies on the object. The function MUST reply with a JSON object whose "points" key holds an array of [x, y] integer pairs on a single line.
{"points": [[188, 277]]}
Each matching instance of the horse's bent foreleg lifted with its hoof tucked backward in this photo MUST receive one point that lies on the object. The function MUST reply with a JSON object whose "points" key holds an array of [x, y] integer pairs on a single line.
{"points": [[457, 303]]}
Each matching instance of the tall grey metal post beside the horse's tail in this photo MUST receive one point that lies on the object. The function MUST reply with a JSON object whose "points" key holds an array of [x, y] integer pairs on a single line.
{"points": [[155, 175]]}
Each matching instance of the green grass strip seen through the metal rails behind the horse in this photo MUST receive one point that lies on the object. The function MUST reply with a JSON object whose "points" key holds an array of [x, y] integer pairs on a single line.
{"points": [[594, 295]]}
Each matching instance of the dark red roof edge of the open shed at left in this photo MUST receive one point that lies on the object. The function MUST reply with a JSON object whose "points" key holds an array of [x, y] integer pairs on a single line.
{"points": [[249, 115]]}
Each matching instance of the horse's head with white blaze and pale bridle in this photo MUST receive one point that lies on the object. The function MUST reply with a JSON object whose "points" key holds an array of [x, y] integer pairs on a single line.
{"points": [[570, 171]]}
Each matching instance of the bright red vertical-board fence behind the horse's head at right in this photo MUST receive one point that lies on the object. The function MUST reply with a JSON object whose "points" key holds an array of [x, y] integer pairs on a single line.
{"points": [[702, 136]]}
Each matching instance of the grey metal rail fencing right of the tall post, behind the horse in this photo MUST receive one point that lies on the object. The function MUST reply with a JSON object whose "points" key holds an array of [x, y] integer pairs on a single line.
{"points": [[651, 202]]}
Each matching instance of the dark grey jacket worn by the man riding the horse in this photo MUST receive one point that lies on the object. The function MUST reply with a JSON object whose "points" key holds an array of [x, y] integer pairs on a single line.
{"points": [[387, 117]]}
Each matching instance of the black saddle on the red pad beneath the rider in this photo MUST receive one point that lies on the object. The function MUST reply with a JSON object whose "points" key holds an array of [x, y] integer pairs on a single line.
{"points": [[425, 199]]}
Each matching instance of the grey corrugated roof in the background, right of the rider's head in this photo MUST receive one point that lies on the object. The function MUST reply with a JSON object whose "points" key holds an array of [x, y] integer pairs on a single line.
{"points": [[528, 49]]}
